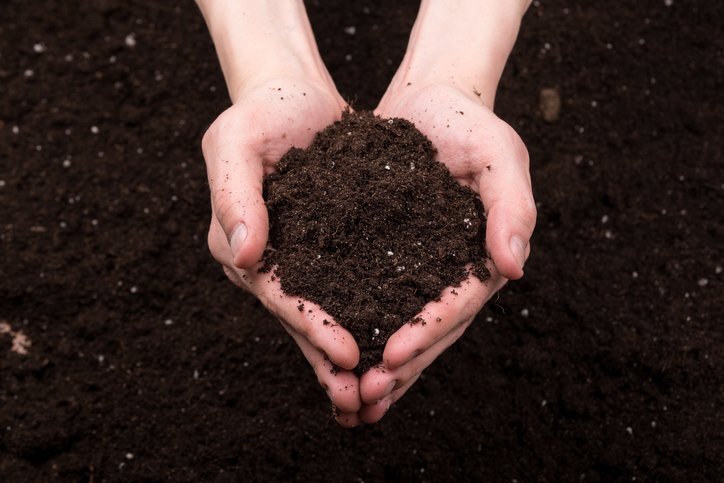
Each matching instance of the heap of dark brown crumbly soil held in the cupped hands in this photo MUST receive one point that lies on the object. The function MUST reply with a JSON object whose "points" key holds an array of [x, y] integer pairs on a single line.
{"points": [[369, 226]]}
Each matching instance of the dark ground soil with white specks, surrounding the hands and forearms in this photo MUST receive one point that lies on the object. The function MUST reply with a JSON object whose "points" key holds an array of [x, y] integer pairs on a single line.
{"points": [[604, 363]]}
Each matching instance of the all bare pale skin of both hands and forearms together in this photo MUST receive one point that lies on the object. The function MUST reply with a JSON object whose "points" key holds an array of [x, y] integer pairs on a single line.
{"points": [[282, 95]]}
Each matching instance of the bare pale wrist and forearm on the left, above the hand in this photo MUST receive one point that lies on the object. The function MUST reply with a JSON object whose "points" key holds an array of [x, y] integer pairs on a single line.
{"points": [[257, 40]]}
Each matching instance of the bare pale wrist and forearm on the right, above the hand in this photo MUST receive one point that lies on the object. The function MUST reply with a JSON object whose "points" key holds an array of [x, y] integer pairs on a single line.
{"points": [[464, 43]]}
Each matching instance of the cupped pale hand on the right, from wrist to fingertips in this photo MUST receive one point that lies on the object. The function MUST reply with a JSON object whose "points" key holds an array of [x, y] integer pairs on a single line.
{"points": [[482, 152]]}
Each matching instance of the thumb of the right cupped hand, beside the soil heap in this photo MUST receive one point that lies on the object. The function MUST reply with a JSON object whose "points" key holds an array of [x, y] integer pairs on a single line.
{"points": [[505, 190]]}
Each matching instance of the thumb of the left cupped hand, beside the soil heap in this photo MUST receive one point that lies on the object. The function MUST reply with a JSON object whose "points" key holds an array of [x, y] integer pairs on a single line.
{"points": [[236, 184]]}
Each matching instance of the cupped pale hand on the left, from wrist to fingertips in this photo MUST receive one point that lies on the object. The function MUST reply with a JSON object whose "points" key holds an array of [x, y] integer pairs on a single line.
{"points": [[244, 144]]}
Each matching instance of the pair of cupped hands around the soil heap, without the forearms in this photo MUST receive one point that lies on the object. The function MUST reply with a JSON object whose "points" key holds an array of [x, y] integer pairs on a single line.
{"points": [[268, 117]]}
